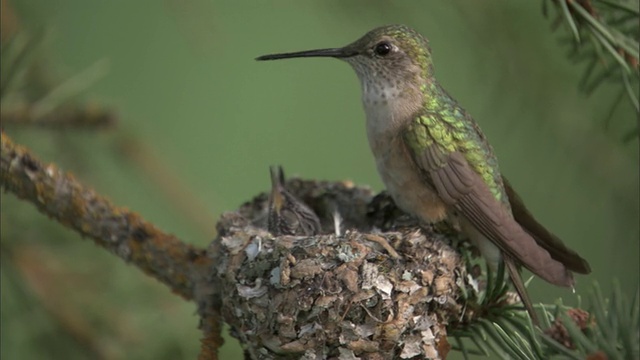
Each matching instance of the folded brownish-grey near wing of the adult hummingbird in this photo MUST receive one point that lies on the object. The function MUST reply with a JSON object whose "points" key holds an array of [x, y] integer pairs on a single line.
{"points": [[460, 187]]}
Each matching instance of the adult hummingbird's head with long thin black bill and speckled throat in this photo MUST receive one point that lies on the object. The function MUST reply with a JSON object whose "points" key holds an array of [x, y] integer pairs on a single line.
{"points": [[391, 61]]}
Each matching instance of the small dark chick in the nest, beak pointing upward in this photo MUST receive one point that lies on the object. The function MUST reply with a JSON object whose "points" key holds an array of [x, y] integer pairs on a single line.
{"points": [[287, 214]]}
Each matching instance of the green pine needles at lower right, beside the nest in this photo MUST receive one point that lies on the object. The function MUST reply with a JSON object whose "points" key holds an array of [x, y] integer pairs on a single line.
{"points": [[495, 325]]}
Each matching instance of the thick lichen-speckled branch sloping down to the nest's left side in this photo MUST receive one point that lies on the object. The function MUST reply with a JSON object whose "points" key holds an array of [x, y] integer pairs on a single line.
{"points": [[59, 195]]}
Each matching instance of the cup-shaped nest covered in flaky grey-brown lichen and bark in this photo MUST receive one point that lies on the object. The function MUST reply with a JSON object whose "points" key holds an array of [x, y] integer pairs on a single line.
{"points": [[381, 287]]}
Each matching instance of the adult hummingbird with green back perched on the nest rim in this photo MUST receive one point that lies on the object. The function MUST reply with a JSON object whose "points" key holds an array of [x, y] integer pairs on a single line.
{"points": [[436, 163]]}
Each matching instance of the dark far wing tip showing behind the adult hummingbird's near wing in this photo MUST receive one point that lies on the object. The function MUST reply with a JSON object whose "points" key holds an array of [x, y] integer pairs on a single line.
{"points": [[544, 237]]}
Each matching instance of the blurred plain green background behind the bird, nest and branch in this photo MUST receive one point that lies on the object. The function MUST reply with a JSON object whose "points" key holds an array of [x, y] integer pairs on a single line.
{"points": [[206, 121]]}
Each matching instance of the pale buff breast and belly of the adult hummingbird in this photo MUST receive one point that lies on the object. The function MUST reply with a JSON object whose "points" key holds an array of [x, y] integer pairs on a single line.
{"points": [[396, 167]]}
